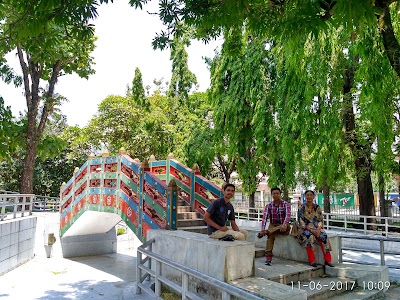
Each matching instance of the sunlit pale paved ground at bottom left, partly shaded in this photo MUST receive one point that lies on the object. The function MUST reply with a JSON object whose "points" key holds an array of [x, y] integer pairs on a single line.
{"points": [[96, 277]]}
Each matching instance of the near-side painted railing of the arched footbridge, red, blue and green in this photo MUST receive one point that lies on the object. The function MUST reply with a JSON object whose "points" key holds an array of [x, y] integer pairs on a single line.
{"points": [[121, 185]]}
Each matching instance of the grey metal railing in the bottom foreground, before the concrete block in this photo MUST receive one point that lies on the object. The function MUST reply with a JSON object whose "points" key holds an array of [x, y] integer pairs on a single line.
{"points": [[183, 289]]}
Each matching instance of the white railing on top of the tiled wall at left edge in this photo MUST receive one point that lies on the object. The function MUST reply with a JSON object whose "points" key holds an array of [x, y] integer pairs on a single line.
{"points": [[15, 205]]}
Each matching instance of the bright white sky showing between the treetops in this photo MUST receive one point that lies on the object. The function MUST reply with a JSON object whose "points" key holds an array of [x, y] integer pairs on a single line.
{"points": [[124, 43]]}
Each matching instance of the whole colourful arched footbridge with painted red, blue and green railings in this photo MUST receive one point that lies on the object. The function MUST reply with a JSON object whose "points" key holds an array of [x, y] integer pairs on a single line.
{"points": [[145, 195]]}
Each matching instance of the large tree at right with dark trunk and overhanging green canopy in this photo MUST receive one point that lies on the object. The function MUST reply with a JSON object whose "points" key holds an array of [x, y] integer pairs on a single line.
{"points": [[366, 45]]}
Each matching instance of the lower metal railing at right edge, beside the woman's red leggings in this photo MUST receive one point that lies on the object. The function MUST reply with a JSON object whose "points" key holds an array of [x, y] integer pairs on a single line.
{"points": [[382, 251]]}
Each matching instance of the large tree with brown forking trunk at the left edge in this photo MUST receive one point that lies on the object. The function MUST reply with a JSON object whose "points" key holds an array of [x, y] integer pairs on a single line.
{"points": [[50, 39]]}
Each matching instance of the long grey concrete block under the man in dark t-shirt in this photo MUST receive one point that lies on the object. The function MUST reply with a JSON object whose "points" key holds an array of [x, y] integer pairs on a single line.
{"points": [[222, 260]]}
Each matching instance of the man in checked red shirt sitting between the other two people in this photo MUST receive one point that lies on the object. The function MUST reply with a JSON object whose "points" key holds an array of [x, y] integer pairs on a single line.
{"points": [[277, 214]]}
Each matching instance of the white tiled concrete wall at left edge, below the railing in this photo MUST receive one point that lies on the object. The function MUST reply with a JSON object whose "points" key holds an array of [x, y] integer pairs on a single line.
{"points": [[17, 242]]}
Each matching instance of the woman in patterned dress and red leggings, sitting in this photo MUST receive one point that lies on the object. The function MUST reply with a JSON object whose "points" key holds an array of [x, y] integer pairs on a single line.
{"points": [[310, 219]]}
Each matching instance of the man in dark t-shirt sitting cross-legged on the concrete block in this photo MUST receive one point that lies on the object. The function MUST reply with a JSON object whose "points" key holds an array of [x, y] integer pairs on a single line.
{"points": [[219, 211]]}
